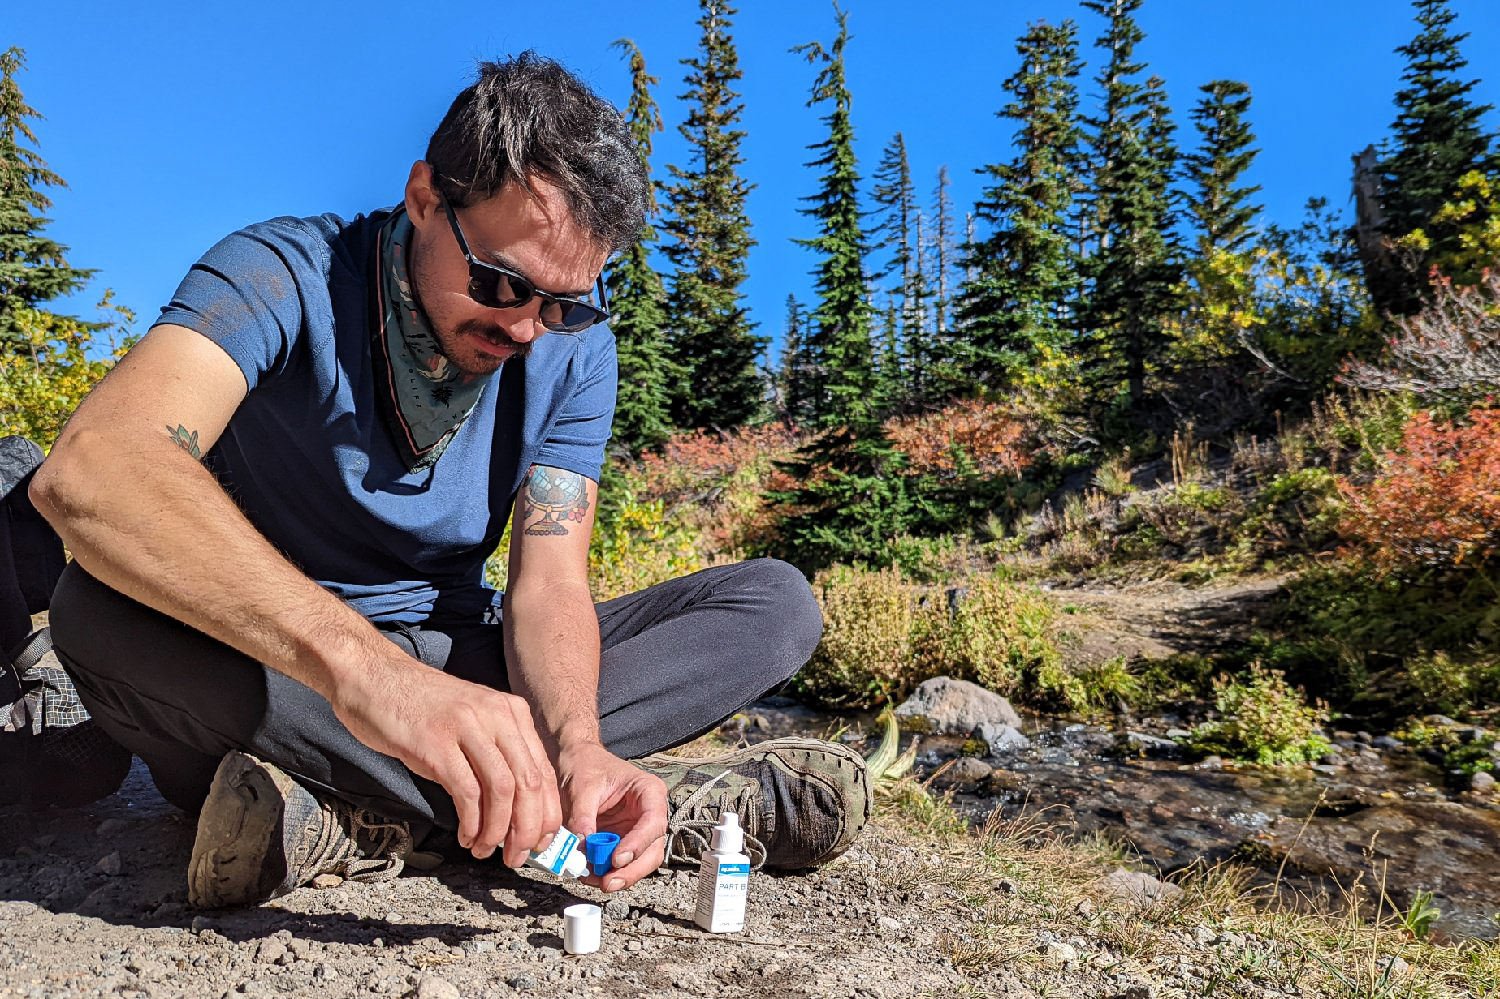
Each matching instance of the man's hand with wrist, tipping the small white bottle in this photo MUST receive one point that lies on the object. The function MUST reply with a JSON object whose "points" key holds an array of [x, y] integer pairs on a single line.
{"points": [[478, 743]]}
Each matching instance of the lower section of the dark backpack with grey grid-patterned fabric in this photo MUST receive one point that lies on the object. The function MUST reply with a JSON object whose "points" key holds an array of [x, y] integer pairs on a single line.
{"points": [[52, 752]]}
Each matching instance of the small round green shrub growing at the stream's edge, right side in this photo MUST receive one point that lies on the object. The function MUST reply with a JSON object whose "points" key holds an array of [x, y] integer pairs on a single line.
{"points": [[1264, 721]]}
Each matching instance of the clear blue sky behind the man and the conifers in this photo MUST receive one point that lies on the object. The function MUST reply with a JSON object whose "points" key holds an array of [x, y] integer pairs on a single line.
{"points": [[176, 124]]}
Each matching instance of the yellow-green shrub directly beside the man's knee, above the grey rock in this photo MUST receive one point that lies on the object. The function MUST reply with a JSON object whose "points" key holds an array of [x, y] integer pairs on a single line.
{"points": [[866, 655]]}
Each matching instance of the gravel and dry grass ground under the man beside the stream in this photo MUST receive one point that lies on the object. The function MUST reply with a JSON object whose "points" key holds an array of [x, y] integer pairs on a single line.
{"points": [[94, 904]]}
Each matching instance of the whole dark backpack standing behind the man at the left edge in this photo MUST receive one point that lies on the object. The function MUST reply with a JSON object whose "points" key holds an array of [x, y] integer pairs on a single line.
{"points": [[52, 752]]}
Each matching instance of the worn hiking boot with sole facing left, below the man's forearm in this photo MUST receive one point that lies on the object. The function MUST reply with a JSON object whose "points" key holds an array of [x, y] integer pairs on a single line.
{"points": [[262, 835]]}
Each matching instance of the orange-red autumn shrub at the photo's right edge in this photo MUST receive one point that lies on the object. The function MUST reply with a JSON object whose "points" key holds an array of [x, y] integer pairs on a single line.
{"points": [[1436, 502]]}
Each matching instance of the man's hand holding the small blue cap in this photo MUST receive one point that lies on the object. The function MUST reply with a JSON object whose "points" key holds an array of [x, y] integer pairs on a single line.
{"points": [[605, 793]]}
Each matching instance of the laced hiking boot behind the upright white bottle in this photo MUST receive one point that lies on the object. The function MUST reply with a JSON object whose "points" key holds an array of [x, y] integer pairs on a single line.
{"points": [[802, 802]]}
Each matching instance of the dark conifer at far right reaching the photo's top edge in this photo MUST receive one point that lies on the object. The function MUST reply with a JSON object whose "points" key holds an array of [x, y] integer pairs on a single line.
{"points": [[1438, 139]]}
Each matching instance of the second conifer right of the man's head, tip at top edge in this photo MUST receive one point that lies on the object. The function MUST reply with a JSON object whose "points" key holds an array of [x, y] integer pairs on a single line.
{"points": [[712, 338]]}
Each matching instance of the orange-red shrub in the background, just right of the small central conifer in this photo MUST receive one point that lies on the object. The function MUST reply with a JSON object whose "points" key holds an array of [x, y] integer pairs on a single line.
{"points": [[986, 433]]}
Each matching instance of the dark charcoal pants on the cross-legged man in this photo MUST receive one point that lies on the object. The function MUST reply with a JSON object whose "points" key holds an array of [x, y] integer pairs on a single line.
{"points": [[676, 661]]}
